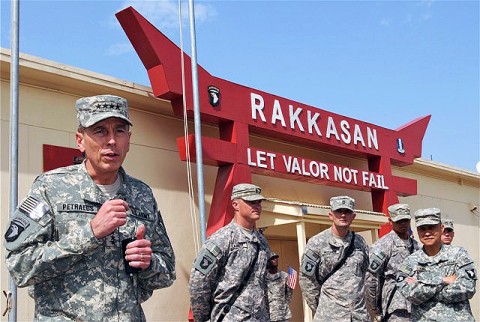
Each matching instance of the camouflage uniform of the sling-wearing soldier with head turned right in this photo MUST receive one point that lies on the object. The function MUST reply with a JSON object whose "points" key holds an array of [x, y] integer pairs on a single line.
{"points": [[219, 269]]}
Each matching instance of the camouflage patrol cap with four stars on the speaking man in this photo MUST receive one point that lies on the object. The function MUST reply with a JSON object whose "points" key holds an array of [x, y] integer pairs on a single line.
{"points": [[91, 110]]}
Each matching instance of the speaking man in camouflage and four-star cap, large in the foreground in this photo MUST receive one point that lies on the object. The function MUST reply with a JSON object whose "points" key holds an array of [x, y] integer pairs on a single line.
{"points": [[66, 237]]}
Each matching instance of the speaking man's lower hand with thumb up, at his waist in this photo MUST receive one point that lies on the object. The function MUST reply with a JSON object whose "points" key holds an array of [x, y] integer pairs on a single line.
{"points": [[139, 252]]}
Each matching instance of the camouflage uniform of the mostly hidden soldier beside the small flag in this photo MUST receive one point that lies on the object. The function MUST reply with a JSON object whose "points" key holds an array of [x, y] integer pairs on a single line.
{"points": [[279, 296]]}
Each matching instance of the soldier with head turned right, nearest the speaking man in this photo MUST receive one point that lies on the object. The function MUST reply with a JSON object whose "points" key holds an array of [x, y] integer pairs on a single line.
{"points": [[234, 255]]}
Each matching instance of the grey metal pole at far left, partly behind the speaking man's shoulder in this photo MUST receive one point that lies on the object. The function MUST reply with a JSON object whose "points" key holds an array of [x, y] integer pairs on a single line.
{"points": [[13, 165]]}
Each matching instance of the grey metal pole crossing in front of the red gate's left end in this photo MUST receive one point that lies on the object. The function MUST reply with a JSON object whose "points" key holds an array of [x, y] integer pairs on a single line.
{"points": [[198, 124]]}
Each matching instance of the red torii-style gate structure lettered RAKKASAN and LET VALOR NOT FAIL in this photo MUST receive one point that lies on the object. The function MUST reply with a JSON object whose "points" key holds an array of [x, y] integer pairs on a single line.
{"points": [[239, 111]]}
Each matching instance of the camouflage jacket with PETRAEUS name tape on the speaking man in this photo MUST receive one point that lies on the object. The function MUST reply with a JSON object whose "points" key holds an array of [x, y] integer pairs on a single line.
{"points": [[77, 277]]}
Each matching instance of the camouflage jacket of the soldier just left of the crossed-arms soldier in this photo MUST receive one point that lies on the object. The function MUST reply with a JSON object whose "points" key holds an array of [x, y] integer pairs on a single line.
{"points": [[386, 256]]}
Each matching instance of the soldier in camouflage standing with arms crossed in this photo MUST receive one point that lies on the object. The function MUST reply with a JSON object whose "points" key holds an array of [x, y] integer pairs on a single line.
{"points": [[438, 280]]}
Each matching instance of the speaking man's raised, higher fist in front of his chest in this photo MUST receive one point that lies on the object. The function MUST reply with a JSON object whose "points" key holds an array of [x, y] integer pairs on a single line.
{"points": [[109, 217]]}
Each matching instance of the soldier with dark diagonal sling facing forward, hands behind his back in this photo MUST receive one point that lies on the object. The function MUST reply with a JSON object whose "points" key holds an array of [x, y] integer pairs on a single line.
{"points": [[333, 267]]}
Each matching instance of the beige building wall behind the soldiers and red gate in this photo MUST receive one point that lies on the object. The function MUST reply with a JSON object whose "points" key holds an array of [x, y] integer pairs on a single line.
{"points": [[48, 92]]}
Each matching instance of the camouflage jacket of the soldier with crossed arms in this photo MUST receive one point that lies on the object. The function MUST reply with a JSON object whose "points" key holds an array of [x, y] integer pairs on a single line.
{"points": [[432, 299]]}
